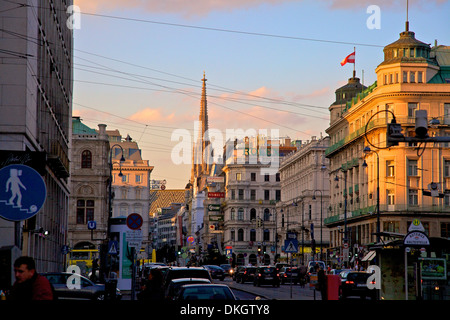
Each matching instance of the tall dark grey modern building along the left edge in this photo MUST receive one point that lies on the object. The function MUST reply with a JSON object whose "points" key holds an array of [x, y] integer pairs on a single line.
{"points": [[35, 119]]}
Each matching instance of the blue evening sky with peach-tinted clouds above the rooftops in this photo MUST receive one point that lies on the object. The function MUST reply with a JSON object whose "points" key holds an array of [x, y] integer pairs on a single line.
{"points": [[269, 64]]}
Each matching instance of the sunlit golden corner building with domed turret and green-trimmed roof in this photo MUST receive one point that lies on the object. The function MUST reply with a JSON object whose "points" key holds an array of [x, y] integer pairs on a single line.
{"points": [[383, 188]]}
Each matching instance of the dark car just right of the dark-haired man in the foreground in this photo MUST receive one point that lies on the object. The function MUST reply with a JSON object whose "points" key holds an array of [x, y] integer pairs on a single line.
{"points": [[88, 290]]}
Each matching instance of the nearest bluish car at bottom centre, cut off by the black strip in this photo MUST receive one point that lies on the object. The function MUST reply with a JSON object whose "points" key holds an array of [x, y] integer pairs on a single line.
{"points": [[205, 292]]}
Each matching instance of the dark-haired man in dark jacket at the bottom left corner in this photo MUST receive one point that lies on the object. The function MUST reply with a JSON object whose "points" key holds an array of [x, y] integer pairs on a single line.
{"points": [[29, 285]]}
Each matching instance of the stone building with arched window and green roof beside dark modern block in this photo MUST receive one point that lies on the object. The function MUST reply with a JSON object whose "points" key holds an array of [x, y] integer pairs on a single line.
{"points": [[89, 199]]}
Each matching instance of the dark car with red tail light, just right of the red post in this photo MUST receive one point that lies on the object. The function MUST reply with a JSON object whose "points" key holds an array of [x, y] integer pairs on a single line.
{"points": [[355, 284]]}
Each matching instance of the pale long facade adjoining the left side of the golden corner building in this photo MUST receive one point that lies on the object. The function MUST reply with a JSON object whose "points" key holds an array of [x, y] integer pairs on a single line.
{"points": [[305, 191]]}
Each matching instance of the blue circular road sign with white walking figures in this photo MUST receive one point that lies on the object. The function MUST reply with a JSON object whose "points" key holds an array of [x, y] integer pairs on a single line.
{"points": [[22, 192]]}
